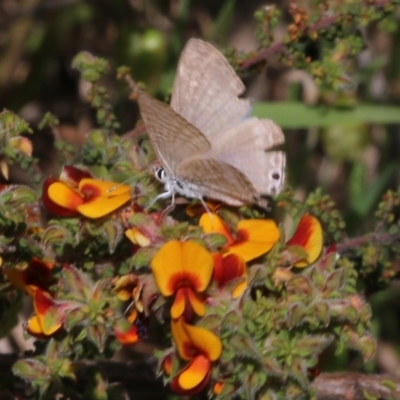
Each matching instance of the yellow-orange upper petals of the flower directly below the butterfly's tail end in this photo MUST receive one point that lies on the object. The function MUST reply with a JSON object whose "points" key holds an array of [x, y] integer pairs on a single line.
{"points": [[253, 238]]}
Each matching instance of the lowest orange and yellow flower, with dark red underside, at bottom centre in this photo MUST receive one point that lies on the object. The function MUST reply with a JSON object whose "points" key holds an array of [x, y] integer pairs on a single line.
{"points": [[200, 348]]}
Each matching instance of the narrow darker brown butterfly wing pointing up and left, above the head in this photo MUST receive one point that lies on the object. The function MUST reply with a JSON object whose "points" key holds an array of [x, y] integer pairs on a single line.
{"points": [[173, 138]]}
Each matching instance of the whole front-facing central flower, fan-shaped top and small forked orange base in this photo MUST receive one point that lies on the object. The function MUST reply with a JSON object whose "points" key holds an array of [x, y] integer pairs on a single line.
{"points": [[183, 269]]}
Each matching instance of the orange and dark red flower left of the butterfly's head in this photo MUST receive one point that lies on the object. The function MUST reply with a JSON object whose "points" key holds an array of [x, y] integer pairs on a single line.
{"points": [[76, 192]]}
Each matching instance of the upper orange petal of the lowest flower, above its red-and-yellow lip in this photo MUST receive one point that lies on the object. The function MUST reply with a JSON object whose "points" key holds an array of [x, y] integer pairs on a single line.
{"points": [[192, 340]]}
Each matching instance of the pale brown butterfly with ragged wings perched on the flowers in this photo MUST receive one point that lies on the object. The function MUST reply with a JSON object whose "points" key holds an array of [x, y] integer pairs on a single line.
{"points": [[205, 141]]}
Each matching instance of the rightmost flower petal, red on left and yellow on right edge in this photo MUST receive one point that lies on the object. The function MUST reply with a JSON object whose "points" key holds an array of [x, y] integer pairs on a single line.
{"points": [[309, 236]]}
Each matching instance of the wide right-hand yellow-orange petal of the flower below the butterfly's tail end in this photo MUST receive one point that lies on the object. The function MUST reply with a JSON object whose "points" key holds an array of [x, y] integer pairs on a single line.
{"points": [[255, 237]]}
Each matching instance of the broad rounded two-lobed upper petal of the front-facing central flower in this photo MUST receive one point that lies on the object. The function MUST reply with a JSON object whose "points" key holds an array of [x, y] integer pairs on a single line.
{"points": [[179, 264]]}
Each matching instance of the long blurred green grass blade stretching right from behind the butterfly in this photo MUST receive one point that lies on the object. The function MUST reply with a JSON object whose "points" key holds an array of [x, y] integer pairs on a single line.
{"points": [[299, 115]]}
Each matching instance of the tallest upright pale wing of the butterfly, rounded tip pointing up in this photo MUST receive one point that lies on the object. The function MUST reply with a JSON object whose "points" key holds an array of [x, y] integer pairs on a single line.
{"points": [[206, 90]]}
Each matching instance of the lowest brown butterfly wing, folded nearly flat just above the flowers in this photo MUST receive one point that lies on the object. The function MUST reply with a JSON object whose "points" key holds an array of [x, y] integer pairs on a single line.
{"points": [[217, 180]]}
